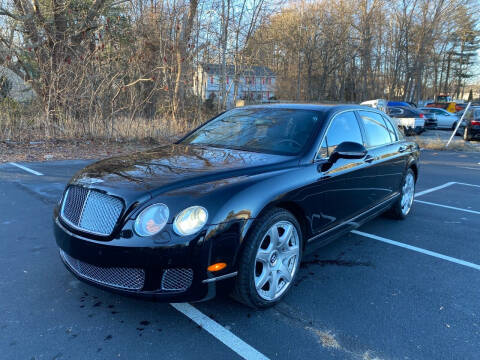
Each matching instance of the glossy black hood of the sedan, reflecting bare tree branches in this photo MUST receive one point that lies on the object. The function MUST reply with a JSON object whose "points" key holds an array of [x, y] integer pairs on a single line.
{"points": [[170, 167]]}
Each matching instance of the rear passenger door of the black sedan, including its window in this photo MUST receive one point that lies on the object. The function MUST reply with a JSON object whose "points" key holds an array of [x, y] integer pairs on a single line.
{"points": [[389, 155]]}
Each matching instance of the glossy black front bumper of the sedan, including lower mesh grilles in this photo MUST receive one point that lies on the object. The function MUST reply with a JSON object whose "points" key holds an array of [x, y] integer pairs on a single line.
{"points": [[172, 272]]}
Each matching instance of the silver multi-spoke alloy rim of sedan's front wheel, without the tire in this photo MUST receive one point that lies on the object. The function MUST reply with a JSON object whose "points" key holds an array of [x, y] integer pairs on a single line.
{"points": [[276, 260]]}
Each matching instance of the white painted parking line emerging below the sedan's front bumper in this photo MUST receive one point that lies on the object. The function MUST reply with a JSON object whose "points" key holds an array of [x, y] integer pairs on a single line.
{"points": [[218, 331]]}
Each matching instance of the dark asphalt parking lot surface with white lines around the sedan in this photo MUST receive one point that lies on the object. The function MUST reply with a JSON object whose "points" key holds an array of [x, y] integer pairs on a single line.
{"points": [[391, 290]]}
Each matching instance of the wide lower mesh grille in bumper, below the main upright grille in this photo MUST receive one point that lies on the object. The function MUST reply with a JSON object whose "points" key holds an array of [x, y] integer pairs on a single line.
{"points": [[119, 277]]}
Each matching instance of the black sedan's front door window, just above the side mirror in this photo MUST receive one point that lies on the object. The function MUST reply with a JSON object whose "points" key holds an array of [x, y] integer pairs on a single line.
{"points": [[344, 127]]}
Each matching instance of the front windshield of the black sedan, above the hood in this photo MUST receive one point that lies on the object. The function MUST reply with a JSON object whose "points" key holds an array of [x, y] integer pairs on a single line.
{"points": [[280, 131]]}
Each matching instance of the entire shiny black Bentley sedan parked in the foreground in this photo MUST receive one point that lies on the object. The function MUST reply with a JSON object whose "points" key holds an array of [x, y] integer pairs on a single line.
{"points": [[239, 200]]}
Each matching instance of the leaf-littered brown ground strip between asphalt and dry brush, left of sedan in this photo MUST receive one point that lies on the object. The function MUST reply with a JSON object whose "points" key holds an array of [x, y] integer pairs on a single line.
{"points": [[68, 149]]}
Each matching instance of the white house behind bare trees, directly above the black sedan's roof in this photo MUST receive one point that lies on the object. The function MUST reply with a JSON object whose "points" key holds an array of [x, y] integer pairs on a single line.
{"points": [[254, 82]]}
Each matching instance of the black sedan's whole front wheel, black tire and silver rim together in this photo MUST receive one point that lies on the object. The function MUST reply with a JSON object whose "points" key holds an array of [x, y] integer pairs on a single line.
{"points": [[262, 264]]}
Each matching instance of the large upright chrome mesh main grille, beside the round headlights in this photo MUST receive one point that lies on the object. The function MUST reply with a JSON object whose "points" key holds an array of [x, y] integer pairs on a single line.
{"points": [[90, 210]]}
